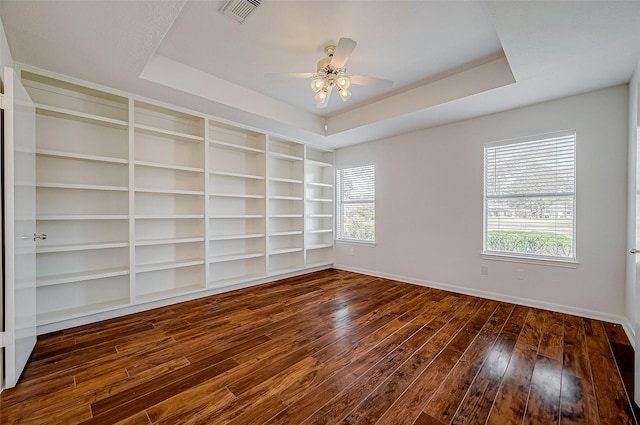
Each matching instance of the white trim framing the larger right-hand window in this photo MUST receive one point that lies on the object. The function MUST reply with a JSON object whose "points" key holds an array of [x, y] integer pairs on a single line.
{"points": [[521, 257]]}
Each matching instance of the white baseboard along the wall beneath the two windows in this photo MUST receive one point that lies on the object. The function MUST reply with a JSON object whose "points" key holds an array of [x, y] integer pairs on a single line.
{"points": [[589, 314]]}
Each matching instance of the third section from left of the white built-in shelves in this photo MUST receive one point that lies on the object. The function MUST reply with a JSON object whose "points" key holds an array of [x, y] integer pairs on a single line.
{"points": [[236, 192]]}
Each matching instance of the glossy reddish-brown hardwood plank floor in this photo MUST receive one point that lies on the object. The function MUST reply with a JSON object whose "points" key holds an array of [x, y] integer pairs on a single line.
{"points": [[331, 347]]}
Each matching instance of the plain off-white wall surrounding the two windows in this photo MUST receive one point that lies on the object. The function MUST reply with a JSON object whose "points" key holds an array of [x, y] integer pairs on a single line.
{"points": [[429, 207]]}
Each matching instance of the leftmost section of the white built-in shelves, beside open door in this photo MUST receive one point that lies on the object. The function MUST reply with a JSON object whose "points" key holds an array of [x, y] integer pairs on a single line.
{"points": [[82, 203]]}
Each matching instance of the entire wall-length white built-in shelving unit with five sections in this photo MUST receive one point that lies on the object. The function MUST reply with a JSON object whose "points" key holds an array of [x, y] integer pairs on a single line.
{"points": [[145, 203]]}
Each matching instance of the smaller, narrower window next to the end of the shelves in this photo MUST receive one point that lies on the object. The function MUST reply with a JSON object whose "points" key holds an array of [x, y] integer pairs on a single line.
{"points": [[356, 203]]}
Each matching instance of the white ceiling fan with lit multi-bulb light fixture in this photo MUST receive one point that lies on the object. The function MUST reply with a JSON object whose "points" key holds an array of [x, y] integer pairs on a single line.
{"points": [[331, 71]]}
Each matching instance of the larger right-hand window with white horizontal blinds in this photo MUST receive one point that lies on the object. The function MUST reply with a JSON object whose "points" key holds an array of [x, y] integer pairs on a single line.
{"points": [[530, 197]]}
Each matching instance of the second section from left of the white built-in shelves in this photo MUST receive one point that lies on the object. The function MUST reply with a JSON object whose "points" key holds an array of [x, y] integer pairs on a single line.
{"points": [[169, 176]]}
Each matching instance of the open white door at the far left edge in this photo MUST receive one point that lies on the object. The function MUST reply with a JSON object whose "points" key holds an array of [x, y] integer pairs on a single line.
{"points": [[19, 228]]}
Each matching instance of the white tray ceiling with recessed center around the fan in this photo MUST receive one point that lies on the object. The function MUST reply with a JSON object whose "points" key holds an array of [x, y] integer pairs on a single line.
{"points": [[449, 60]]}
